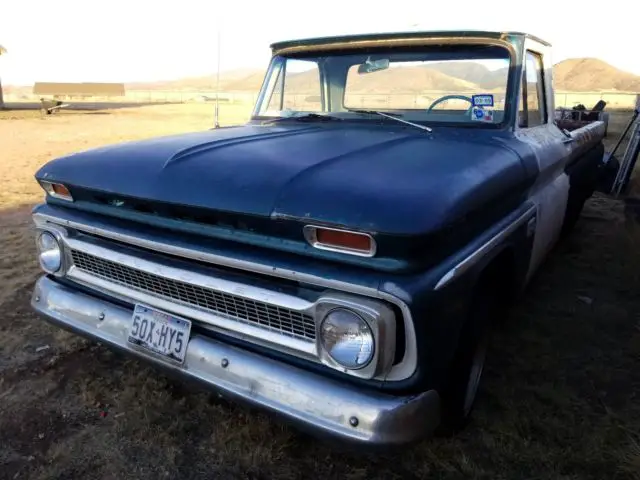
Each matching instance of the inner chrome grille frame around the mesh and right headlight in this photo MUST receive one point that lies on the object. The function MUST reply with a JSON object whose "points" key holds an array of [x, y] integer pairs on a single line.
{"points": [[379, 317]]}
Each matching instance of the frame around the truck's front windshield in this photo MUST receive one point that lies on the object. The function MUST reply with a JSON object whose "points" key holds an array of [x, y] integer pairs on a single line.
{"points": [[280, 56]]}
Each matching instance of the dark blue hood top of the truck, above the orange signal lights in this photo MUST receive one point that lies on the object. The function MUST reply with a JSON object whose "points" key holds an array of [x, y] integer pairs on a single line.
{"points": [[369, 177]]}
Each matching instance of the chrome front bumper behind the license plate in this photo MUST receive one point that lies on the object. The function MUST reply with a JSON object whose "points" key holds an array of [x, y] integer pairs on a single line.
{"points": [[313, 402]]}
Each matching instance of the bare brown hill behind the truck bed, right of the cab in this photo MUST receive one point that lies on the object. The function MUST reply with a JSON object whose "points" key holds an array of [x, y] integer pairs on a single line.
{"points": [[593, 74]]}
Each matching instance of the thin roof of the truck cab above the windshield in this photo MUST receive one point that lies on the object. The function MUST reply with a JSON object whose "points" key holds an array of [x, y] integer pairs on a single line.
{"points": [[450, 34]]}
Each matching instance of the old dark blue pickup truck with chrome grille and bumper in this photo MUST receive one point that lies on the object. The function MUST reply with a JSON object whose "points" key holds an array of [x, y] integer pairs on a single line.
{"points": [[341, 259]]}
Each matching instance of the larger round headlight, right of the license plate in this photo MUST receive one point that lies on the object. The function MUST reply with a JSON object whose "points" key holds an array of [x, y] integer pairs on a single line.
{"points": [[347, 338]]}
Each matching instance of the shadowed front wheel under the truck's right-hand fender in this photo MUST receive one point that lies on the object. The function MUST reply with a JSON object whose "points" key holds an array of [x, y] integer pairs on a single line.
{"points": [[465, 374]]}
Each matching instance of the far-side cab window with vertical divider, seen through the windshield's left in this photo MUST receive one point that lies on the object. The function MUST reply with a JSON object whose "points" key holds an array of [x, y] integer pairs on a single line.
{"points": [[301, 90]]}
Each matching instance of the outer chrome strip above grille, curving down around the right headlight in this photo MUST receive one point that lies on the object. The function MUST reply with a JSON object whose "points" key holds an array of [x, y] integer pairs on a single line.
{"points": [[401, 371]]}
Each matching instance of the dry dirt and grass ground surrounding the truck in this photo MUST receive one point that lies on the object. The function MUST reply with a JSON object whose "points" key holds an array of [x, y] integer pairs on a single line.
{"points": [[560, 398]]}
